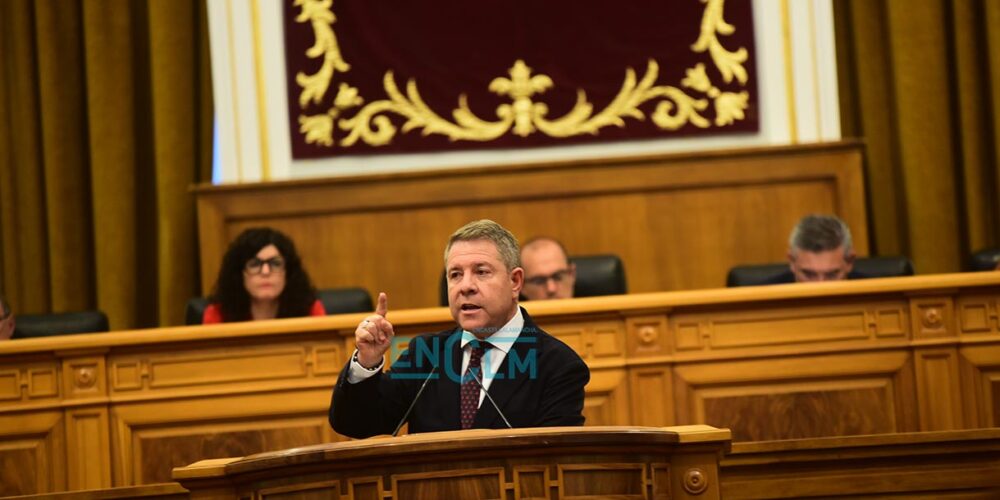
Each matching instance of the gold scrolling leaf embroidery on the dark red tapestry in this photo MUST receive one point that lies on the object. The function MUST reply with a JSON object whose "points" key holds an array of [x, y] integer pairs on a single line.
{"points": [[525, 114]]}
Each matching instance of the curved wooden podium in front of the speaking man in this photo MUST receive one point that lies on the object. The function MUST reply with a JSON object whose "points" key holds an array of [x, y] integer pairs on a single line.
{"points": [[540, 463]]}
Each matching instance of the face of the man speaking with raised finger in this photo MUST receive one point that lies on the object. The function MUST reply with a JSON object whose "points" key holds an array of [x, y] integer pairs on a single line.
{"points": [[482, 295]]}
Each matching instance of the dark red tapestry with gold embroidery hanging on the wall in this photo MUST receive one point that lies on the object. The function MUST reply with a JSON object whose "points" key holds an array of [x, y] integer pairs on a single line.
{"points": [[368, 76]]}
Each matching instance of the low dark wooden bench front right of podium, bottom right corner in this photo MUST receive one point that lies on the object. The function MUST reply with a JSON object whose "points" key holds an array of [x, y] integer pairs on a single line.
{"points": [[957, 464]]}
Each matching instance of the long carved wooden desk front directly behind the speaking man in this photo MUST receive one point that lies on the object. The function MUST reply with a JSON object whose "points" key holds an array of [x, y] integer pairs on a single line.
{"points": [[782, 362]]}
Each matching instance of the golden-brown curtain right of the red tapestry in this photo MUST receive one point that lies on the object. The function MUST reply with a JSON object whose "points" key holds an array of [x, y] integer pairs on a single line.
{"points": [[920, 82]]}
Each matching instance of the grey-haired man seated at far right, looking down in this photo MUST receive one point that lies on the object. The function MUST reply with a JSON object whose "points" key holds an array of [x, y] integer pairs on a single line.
{"points": [[819, 249]]}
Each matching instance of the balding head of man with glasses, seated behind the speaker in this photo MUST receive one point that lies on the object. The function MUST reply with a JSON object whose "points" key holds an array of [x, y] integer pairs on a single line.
{"points": [[547, 274]]}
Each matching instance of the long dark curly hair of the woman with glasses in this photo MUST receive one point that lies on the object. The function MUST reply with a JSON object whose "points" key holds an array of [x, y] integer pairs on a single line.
{"points": [[234, 301]]}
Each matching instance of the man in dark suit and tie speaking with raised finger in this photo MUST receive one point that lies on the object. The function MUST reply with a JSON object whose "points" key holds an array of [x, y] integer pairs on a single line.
{"points": [[534, 379]]}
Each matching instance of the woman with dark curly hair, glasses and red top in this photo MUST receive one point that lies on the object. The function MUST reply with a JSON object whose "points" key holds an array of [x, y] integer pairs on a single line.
{"points": [[261, 278]]}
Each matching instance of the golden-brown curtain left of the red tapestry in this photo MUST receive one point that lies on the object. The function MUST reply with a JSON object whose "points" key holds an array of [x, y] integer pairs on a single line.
{"points": [[105, 122]]}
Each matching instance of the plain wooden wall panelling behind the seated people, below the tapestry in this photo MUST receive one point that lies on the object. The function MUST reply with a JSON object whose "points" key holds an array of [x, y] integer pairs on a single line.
{"points": [[659, 213]]}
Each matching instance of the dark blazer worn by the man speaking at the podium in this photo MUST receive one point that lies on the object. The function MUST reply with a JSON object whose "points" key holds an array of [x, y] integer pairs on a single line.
{"points": [[539, 383]]}
